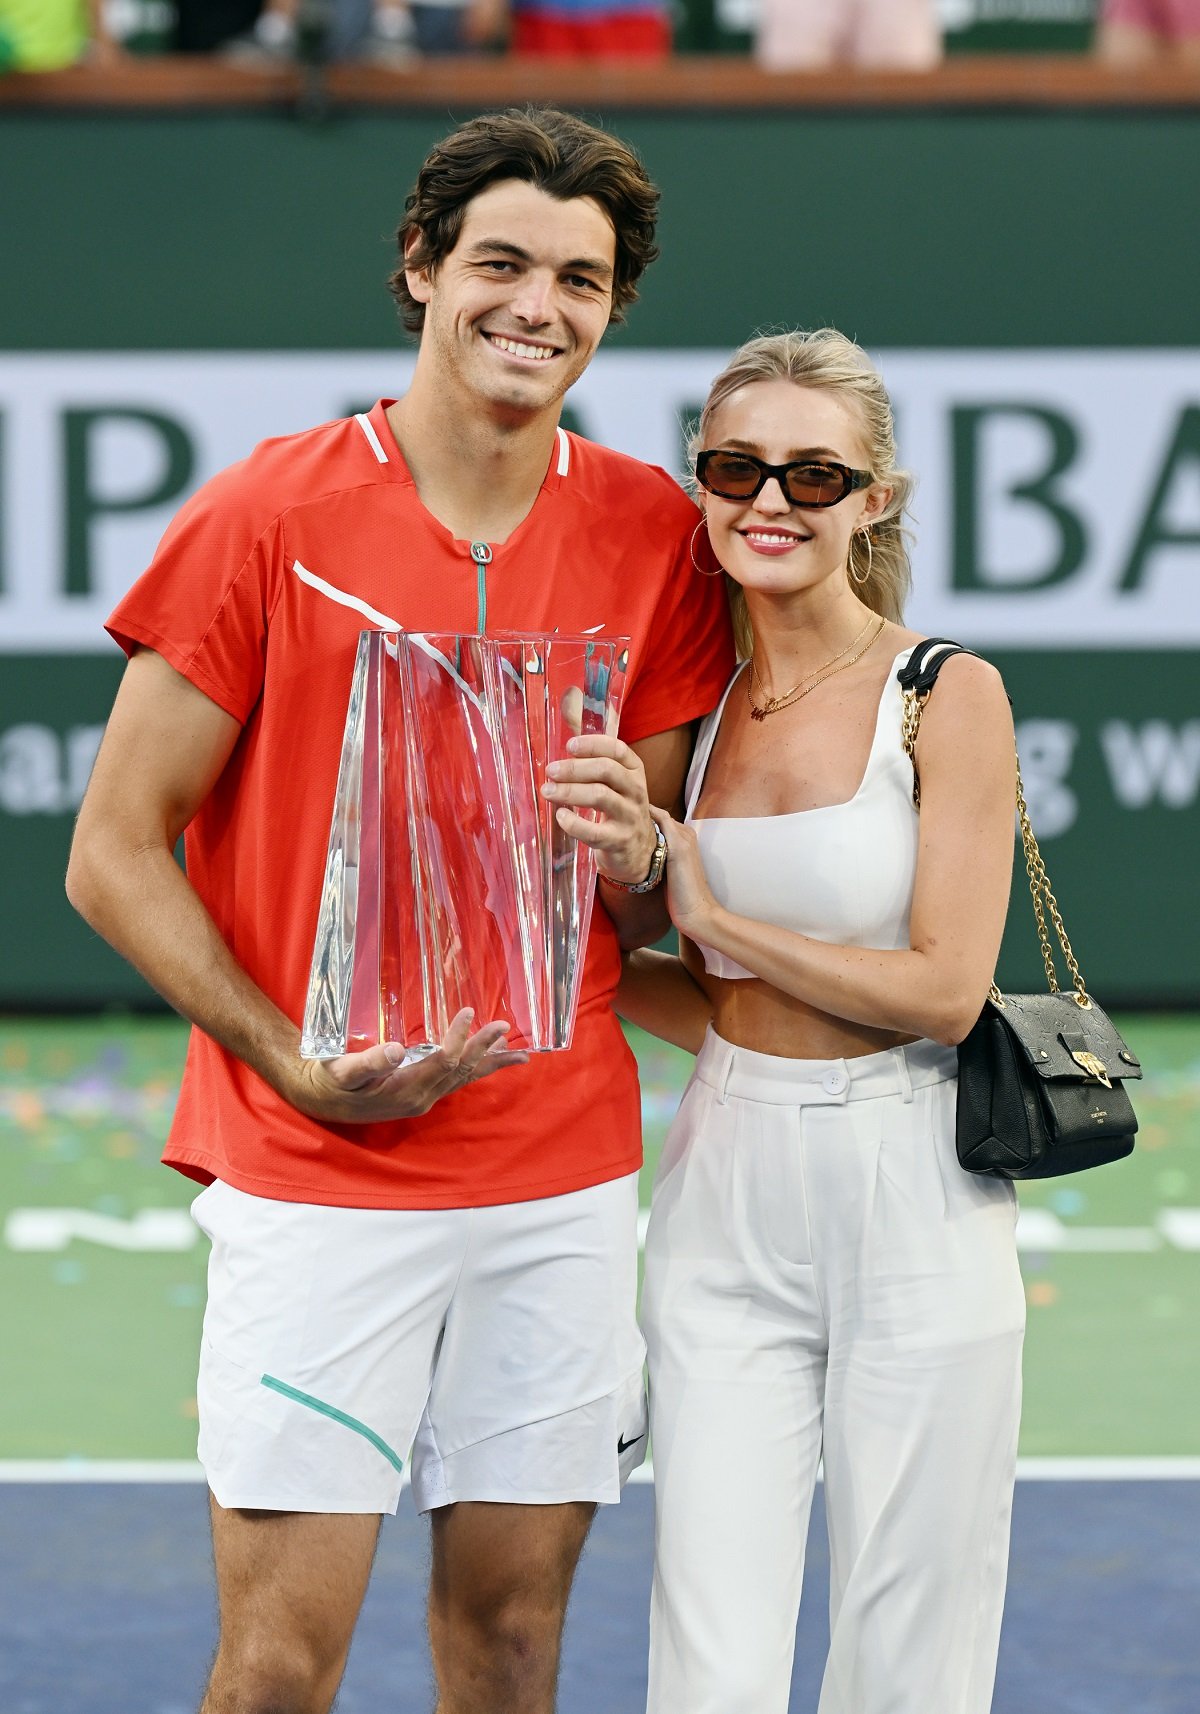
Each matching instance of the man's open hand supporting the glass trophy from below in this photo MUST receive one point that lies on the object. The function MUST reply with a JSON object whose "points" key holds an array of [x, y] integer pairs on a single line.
{"points": [[376, 1084]]}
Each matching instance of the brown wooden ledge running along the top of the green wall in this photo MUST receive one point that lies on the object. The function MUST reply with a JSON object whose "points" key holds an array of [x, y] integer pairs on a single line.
{"points": [[687, 83]]}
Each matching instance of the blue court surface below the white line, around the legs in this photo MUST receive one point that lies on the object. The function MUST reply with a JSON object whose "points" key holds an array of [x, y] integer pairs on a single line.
{"points": [[109, 1605]]}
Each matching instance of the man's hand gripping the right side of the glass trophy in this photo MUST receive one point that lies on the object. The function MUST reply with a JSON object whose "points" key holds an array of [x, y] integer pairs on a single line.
{"points": [[606, 777]]}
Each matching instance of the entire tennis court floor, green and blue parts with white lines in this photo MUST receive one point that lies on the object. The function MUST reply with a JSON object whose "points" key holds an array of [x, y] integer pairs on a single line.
{"points": [[109, 1602]]}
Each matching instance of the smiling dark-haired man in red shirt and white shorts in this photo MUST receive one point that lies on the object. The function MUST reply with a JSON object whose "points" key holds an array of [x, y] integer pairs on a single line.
{"points": [[399, 1259]]}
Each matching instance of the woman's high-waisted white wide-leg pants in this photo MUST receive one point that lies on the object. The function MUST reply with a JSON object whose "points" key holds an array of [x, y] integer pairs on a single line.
{"points": [[824, 1281]]}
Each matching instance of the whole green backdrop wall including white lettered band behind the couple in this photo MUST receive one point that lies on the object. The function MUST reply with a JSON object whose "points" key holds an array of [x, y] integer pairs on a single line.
{"points": [[1026, 279]]}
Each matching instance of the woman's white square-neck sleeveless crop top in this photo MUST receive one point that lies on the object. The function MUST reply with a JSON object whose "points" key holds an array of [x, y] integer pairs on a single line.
{"points": [[843, 873]]}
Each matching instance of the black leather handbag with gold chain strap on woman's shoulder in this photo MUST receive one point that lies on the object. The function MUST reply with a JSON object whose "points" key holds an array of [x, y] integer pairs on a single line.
{"points": [[1041, 1077]]}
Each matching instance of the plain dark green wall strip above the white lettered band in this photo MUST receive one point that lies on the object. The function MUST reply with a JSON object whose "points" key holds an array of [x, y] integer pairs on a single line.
{"points": [[248, 232]]}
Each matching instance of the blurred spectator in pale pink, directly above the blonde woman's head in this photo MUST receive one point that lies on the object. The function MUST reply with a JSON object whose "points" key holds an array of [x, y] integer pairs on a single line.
{"points": [[805, 35]]}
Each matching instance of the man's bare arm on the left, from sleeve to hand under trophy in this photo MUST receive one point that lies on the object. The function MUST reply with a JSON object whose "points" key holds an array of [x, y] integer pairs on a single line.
{"points": [[165, 746]]}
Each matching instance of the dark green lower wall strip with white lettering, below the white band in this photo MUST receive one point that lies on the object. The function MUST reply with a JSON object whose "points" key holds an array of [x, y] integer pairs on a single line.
{"points": [[1112, 760]]}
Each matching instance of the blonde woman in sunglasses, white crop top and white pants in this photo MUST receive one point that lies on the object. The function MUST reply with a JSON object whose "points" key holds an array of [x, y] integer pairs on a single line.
{"points": [[824, 1281]]}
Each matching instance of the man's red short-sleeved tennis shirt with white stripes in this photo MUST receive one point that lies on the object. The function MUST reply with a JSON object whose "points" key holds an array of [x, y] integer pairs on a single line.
{"points": [[258, 594]]}
